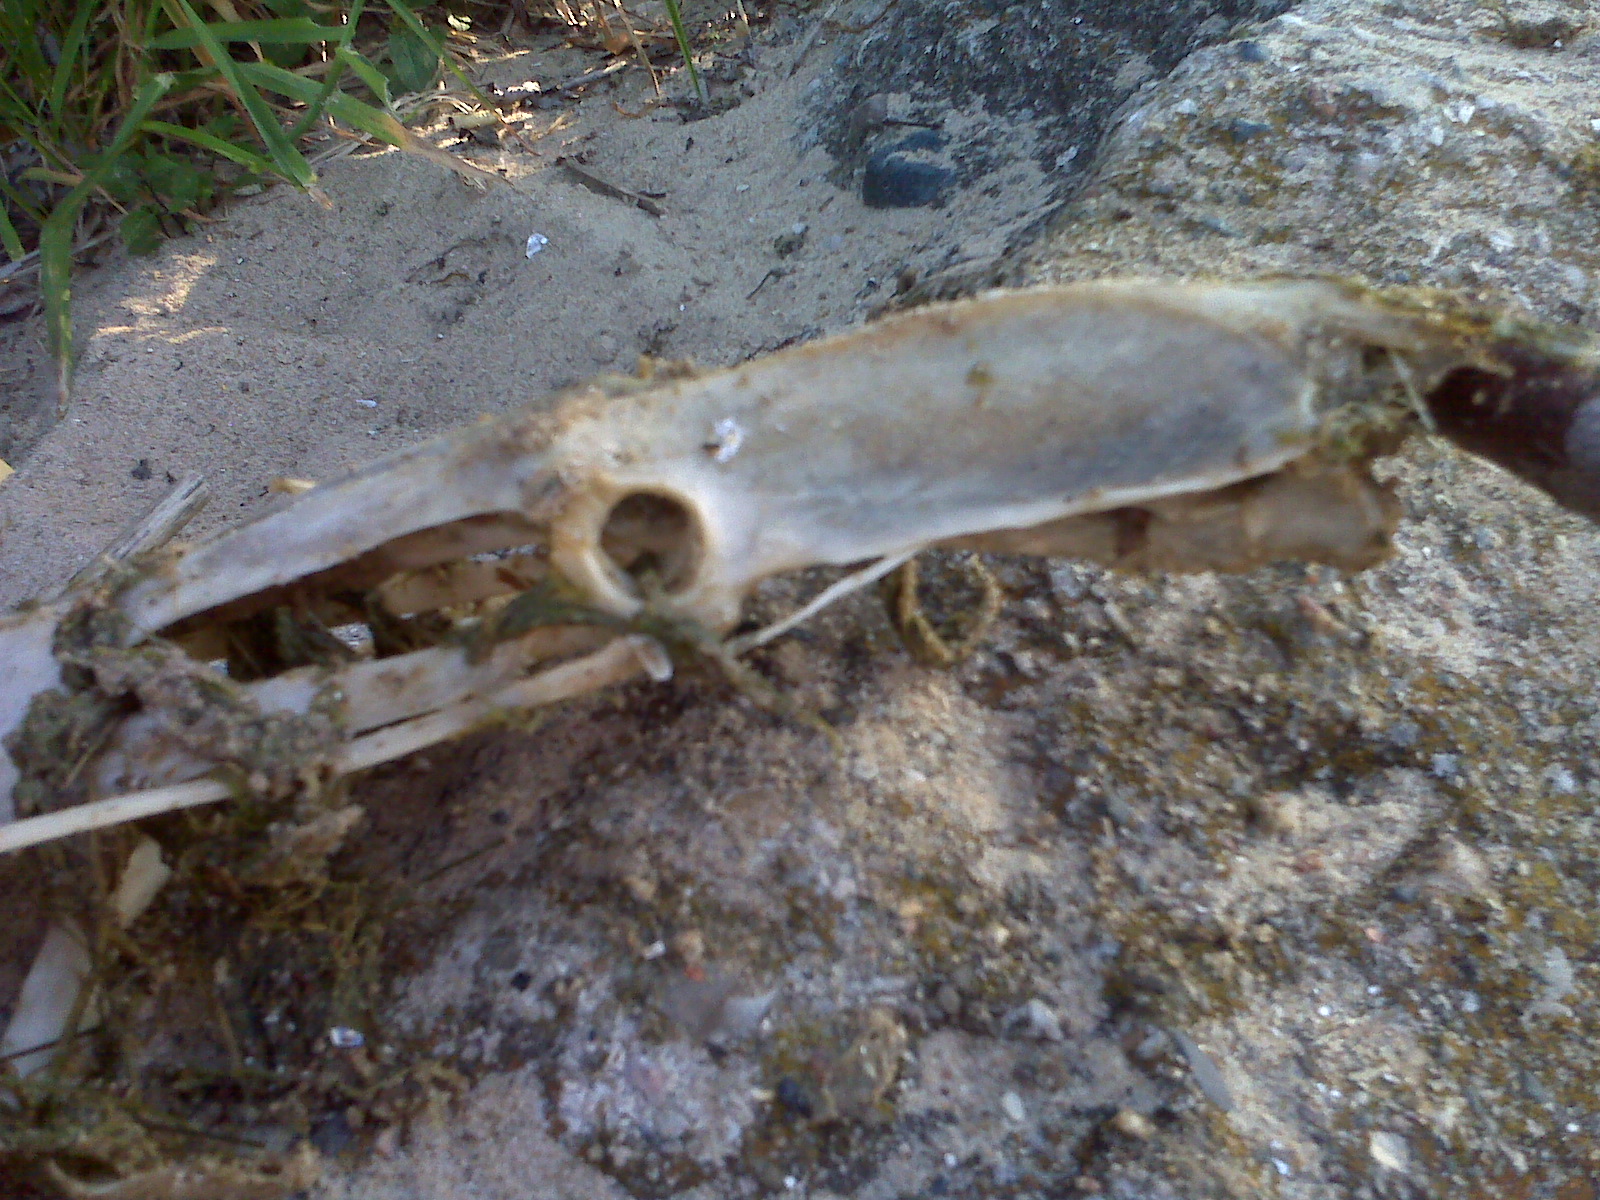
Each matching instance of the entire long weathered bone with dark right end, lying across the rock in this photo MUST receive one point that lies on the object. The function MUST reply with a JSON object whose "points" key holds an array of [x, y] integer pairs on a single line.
{"points": [[1150, 426]]}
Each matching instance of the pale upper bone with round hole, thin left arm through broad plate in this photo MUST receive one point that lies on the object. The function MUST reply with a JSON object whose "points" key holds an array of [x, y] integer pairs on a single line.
{"points": [[1002, 412]]}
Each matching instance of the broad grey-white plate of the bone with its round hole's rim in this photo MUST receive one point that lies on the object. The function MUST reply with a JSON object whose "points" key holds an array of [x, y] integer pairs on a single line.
{"points": [[1006, 412]]}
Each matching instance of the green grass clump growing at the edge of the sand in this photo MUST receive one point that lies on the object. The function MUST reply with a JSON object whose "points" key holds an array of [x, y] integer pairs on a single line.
{"points": [[132, 118]]}
